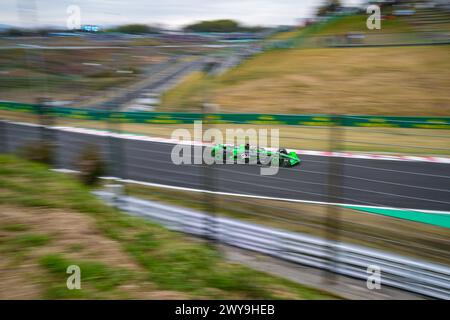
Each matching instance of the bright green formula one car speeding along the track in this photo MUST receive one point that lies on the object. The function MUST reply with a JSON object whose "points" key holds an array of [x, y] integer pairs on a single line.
{"points": [[253, 155]]}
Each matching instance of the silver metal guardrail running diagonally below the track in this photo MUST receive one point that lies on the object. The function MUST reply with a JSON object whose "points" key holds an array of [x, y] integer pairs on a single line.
{"points": [[412, 275]]}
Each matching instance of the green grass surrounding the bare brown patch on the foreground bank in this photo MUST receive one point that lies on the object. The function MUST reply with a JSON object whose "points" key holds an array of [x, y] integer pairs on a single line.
{"points": [[169, 260]]}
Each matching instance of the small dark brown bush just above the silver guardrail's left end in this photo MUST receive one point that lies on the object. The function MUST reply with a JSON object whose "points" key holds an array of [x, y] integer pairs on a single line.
{"points": [[90, 165]]}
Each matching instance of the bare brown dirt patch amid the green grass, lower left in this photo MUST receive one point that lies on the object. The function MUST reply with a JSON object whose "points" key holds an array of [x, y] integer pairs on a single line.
{"points": [[75, 236]]}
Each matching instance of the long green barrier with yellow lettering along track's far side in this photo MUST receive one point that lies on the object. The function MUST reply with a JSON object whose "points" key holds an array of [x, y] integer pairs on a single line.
{"points": [[232, 118]]}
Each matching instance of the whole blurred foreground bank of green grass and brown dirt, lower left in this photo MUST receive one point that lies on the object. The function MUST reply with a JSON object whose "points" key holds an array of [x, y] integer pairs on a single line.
{"points": [[50, 221]]}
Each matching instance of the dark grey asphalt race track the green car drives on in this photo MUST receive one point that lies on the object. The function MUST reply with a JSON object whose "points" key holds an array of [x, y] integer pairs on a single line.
{"points": [[400, 184]]}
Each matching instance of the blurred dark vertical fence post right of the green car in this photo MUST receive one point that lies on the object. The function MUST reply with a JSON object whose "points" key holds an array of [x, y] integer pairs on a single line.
{"points": [[334, 192]]}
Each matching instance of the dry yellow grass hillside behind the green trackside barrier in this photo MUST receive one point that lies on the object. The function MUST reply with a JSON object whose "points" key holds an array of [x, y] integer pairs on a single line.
{"points": [[391, 81]]}
